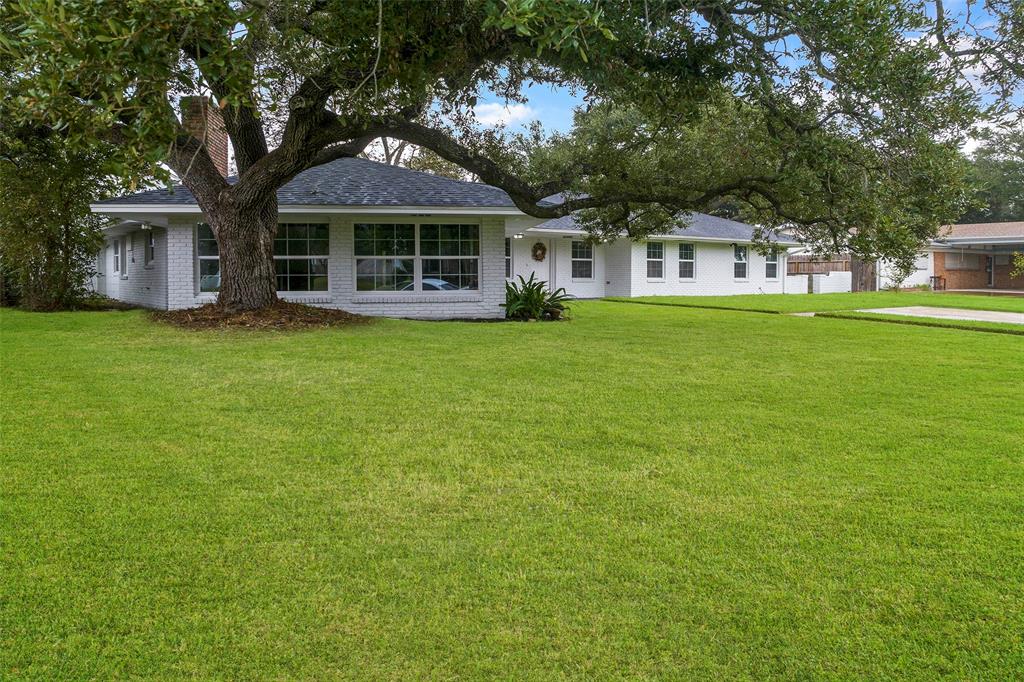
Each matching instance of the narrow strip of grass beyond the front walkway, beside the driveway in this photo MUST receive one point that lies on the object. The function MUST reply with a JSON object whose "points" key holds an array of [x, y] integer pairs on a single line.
{"points": [[823, 303]]}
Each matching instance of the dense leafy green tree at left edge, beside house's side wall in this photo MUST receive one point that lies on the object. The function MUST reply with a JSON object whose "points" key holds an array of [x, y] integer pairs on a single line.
{"points": [[49, 237]]}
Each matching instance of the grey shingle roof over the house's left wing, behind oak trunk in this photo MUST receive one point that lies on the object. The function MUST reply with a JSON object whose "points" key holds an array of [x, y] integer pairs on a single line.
{"points": [[355, 183]]}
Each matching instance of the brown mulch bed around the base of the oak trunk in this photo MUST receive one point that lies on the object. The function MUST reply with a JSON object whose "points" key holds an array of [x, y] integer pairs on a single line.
{"points": [[281, 316]]}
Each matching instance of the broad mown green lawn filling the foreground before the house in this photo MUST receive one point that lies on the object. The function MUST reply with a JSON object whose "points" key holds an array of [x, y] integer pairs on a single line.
{"points": [[644, 492]]}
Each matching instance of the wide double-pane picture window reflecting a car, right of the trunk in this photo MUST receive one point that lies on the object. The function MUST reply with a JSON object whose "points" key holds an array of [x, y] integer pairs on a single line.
{"points": [[410, 258]]}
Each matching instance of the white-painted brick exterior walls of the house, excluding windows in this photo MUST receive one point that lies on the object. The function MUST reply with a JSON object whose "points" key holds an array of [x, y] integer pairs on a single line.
{"points": [[620, 270]]}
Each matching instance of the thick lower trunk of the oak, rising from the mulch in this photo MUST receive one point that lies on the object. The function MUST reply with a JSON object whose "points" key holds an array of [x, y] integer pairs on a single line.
{"points": [[245, 241]]}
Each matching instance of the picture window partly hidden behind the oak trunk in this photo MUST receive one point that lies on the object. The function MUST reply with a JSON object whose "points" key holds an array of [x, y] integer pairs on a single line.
{"points": [[301, 253]]}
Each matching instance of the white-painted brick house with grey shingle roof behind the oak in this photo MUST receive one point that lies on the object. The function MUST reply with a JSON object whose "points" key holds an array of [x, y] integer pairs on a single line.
{"points": [[385, 241]]}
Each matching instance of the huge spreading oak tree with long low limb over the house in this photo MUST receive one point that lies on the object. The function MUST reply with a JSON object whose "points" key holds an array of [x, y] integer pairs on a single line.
{"points": [[832, 117]]}
